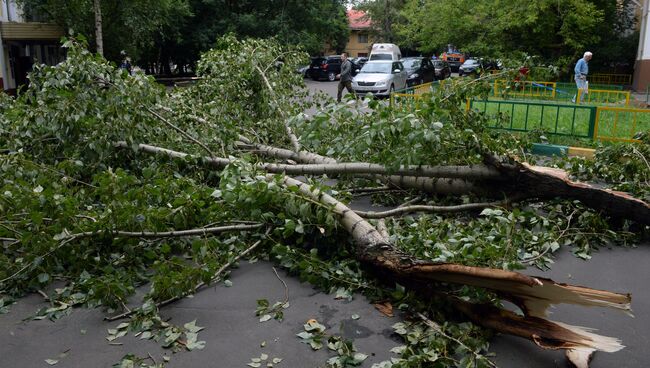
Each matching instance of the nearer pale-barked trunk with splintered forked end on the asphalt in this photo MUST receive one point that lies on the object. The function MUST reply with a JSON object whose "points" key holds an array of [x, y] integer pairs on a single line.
{"points": [[533, 295]]}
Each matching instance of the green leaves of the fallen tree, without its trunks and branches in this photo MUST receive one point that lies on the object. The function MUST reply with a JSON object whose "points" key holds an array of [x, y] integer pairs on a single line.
{"points": [[67, 190]]}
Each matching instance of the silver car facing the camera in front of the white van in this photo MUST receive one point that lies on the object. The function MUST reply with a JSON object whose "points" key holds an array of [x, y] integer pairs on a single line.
{"points": [[380, 78]]}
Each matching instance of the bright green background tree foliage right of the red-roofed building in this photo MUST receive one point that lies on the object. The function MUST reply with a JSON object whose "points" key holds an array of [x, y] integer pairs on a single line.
{"points": [[558, 31]]}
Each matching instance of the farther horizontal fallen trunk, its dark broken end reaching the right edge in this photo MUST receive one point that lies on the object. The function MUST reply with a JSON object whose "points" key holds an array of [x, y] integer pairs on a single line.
{"points": [[518, 179]]}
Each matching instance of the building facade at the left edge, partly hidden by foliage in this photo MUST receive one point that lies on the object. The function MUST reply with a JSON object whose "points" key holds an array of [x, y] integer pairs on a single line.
{"points": [[23, 42]]}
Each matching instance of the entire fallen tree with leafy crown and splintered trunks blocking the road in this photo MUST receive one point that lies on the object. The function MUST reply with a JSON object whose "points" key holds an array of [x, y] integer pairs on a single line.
{"points": [[88, 201]]}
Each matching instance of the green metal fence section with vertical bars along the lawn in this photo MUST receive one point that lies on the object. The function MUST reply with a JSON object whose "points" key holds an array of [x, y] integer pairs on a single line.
{"points": [[557, 119]]}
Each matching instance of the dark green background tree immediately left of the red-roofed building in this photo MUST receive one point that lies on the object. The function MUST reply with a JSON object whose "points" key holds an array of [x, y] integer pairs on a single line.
{"points": [[310, 24]]}
